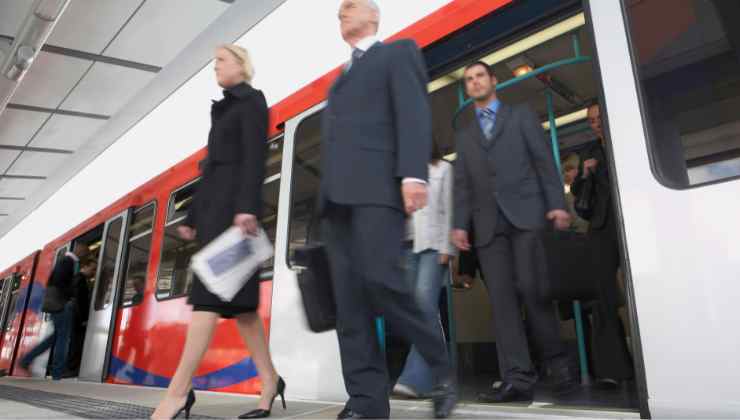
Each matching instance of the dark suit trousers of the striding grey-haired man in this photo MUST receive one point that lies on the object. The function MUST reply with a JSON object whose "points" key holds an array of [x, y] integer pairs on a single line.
{"points": [[364, 245]]}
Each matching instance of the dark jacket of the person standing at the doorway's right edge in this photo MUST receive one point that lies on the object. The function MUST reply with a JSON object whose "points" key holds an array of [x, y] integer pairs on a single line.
{"points": [[602, 186]]}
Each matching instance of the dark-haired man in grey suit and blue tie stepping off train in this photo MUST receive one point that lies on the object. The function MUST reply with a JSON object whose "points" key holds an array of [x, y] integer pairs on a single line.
{"points": [[507, 183]]}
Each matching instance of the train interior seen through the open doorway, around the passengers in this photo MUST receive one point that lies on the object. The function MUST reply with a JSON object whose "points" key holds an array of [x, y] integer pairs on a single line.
{"points": [[552, 71]]}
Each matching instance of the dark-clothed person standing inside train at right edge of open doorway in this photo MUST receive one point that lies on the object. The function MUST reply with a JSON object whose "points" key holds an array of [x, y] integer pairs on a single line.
{"points": [[609, 352]]}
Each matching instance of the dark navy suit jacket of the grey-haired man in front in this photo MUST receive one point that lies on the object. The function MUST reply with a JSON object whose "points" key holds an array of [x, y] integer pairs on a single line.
{"points": [[377, 128]]}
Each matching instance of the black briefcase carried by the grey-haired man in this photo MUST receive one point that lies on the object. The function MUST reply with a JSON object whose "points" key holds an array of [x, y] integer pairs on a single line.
{"points": [[314, 281]]}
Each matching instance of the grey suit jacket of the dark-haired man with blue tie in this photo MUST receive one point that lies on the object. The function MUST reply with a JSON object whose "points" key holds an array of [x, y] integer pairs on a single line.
{"points": [[514, 172]]}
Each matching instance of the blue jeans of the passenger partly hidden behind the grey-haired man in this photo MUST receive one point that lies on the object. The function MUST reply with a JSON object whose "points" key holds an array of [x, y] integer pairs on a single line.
{"points": [[428, 276]]}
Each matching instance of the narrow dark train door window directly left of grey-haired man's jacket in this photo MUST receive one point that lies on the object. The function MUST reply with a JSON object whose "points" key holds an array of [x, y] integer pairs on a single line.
{"points": [[303, 221]]}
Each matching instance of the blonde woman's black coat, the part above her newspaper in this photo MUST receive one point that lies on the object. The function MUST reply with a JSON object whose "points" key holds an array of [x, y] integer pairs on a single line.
{"points": [[234, 170]]}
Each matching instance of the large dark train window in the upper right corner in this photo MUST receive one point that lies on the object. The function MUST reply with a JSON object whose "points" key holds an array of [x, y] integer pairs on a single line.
{"points": [[689, 73]]}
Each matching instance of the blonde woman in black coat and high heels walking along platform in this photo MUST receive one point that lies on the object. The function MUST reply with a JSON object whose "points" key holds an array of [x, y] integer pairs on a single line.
{"points": [[229, 194]]}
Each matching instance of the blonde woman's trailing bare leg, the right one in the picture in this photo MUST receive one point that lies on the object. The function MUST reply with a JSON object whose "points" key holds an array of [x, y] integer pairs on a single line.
{"points": [[250, 328]]}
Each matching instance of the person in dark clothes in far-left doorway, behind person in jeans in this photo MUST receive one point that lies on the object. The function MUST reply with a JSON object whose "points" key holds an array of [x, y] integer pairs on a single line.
{"points": [[81, 304]]}
